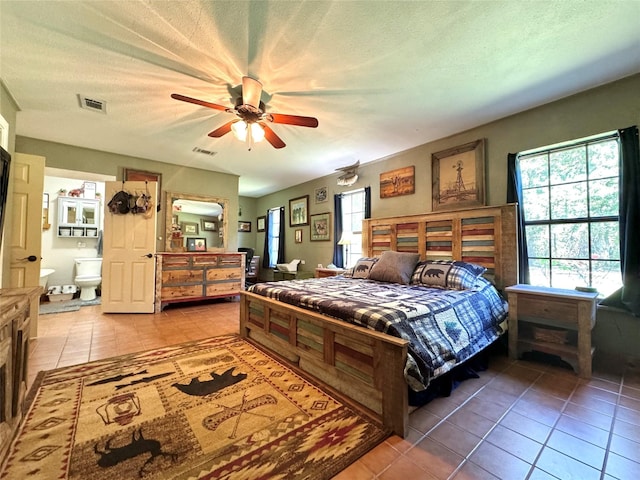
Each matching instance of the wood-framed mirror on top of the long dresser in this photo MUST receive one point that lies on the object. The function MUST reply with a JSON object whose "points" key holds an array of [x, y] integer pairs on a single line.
{"points": [[195, 211]]}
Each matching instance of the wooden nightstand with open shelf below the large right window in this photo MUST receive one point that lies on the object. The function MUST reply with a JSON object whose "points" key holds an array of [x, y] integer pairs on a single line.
{"points": [[553, 321]]}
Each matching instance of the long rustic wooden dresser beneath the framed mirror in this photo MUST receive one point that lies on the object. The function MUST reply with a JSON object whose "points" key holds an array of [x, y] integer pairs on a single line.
{"points": [[184, 277]]}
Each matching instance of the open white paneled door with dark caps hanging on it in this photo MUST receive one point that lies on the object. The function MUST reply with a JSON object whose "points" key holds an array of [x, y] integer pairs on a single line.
{"points": [[128, 261]]}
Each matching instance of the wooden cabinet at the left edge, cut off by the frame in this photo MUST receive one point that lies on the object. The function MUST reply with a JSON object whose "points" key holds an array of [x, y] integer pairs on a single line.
{"points": [[15, 319]]}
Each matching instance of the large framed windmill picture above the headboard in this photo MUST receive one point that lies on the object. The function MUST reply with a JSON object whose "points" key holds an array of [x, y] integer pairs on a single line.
{"points": [[458, 177]]}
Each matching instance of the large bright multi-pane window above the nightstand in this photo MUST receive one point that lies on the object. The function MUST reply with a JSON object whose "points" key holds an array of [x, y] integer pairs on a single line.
{"points": [[571, 208]]}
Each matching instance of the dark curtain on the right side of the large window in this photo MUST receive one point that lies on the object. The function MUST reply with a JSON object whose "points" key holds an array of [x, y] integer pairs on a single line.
{"points": [[628, 297]]}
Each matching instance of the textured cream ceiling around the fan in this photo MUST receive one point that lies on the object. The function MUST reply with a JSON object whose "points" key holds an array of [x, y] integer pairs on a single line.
{"points": [[380, 76]]}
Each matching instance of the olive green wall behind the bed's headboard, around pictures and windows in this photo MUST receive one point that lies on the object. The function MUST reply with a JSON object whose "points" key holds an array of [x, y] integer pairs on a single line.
{"points": [[610, 107]]}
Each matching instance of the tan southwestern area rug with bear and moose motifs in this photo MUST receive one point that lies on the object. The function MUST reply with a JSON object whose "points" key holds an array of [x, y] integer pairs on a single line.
{"points": [[219, 408]]}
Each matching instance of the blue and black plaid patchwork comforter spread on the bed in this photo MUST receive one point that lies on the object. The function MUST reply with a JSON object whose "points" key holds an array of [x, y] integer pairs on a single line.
{"points": [[443, 327]]}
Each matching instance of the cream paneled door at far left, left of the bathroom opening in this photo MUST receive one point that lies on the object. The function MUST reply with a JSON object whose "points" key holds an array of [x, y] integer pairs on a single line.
{"points": [[25, 229]]}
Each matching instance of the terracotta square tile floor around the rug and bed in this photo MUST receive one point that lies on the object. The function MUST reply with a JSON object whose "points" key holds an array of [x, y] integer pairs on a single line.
{"points": [[520, 420]]}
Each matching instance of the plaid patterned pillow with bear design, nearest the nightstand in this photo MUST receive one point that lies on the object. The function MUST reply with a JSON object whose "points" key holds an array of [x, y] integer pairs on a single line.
{"points": [[454, 275]]}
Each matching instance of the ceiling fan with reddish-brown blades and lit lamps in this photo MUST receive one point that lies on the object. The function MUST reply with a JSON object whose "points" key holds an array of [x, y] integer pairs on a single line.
{"points": [[252, 122]]}
